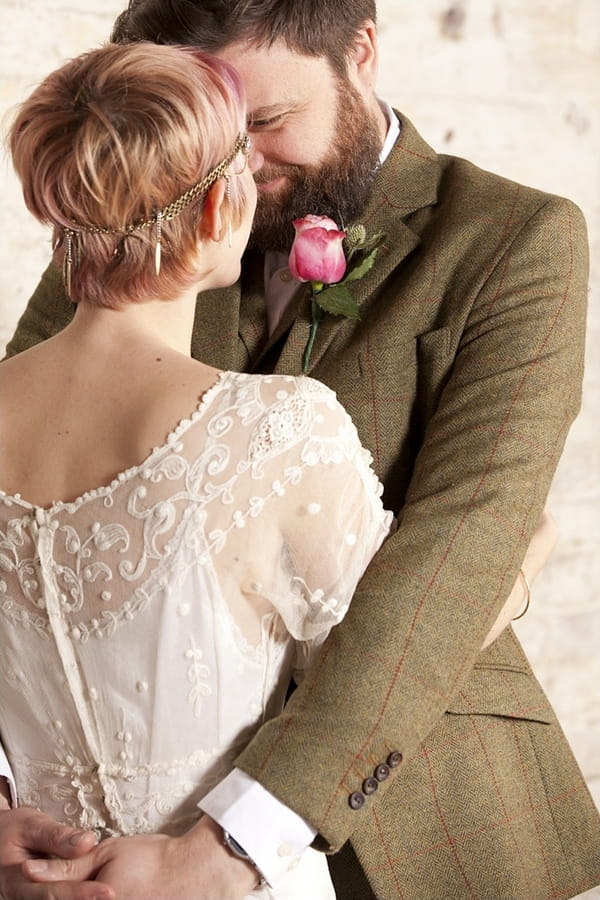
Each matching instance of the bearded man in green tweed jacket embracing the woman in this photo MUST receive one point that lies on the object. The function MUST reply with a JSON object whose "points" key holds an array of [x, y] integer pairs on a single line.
{"points": [[431, 770]]}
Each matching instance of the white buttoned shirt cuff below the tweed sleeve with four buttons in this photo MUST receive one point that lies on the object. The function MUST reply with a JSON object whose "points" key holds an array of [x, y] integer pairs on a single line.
{"points": [[273, 836]]}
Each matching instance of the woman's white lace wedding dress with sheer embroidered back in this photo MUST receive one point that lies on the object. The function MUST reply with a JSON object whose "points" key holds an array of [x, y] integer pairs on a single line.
{"points": [[149, 627]]}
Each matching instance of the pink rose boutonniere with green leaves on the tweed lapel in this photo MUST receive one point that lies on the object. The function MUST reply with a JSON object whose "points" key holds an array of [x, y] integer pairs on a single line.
{"points": [[329, 259]]}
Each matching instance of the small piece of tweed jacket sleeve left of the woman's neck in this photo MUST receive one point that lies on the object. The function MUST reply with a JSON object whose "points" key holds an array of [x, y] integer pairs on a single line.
{"points": [[47, 313]]}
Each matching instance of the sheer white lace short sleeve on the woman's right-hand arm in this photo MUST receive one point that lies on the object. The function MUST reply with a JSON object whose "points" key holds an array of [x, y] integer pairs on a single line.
{"points": [[332, 522]]}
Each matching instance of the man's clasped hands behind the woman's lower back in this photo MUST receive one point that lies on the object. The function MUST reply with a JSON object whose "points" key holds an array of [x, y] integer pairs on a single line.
{"points": [[194, 866]]}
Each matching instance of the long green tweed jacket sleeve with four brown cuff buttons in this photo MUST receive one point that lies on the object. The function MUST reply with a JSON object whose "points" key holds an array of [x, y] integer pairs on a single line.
{"points": [[387, 673]]}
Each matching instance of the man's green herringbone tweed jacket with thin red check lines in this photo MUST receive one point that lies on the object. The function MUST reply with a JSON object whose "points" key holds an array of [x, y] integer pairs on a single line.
{"points": [[435, 771]]}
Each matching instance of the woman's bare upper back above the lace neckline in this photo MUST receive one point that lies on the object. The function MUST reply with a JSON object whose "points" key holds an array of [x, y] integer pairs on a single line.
{"points": [[73, 418]]}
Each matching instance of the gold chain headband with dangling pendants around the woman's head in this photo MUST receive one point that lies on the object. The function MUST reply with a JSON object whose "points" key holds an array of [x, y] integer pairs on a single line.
{"points": [[242, 145]]}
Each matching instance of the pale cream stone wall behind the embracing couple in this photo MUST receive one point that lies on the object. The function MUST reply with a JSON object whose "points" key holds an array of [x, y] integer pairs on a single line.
{"points": [[513, 85]]}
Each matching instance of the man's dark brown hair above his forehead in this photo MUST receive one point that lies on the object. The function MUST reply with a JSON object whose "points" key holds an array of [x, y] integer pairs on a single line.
{"points": [[311, 27]]}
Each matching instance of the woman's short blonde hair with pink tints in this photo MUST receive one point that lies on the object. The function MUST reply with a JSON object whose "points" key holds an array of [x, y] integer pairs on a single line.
{"points": [[111, 137]]}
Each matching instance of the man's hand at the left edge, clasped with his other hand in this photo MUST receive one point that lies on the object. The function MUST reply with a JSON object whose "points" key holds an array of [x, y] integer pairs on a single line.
{"points": [[26, 833]]}
